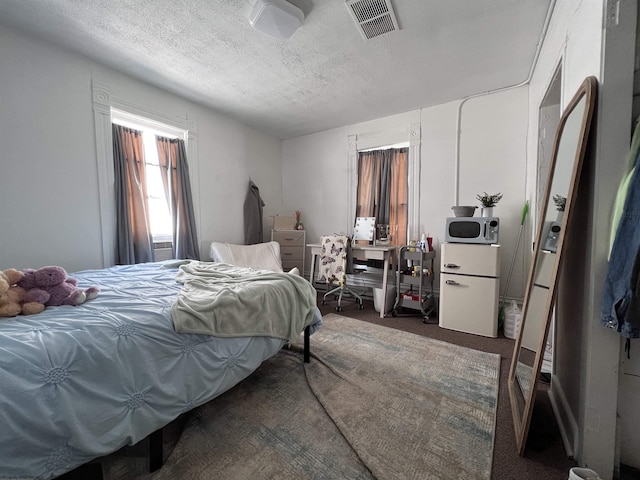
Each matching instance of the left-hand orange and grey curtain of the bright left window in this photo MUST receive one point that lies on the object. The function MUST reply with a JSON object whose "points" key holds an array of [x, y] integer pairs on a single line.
{"points": [[134, 243]]}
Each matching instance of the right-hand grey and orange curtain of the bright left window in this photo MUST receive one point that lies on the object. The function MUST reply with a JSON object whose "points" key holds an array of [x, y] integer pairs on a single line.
{"points": [[175, 177]]}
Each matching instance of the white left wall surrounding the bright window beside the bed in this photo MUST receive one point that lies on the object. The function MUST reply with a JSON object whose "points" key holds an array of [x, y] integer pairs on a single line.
{"points": [[48, 170]]}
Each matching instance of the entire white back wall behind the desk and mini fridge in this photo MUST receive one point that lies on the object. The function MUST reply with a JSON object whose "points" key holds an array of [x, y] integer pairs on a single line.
{"points": [[316, 169]]}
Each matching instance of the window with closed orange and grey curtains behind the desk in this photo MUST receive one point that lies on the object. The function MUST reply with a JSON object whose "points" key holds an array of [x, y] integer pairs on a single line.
{"points": [[383, 189]]}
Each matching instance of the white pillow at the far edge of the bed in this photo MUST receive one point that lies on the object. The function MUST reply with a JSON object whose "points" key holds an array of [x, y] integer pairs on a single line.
{"points": [[261, 256]]}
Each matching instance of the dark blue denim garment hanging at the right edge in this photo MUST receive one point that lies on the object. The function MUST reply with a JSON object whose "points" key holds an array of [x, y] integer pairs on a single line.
{"points": [[618, 289]]}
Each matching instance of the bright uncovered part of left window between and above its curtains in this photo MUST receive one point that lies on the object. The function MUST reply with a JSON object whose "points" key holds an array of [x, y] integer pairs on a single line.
{"points": [[159, 214]]}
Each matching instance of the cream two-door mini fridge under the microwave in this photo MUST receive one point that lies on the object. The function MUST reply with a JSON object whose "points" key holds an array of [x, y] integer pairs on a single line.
{"points": [[469, 288]]}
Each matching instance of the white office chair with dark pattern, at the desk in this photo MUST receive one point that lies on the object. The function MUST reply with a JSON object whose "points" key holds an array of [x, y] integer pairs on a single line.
{"points": [[334, 262]]}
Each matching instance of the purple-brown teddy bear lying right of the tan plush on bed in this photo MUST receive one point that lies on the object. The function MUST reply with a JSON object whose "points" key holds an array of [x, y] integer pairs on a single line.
{"points": [[54, 282]]}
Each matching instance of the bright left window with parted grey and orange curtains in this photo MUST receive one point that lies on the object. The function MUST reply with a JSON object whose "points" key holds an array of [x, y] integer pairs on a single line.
{"points": [[154, 209]]}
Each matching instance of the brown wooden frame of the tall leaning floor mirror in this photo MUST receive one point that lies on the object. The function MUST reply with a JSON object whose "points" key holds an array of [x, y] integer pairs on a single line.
{"points": [[522, 403]]}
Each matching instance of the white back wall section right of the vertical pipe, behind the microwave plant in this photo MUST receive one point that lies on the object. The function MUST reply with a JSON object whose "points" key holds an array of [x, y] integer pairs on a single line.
{"points": [[493, 159]]}
